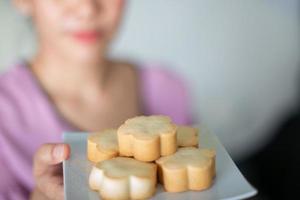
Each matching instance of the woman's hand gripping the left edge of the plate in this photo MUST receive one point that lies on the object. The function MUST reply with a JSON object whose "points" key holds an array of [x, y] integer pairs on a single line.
{"points": [[47, 171]]}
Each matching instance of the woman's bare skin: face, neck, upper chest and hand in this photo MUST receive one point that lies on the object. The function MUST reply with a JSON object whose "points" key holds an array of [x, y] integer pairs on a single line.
{"points": [[85, 87]]}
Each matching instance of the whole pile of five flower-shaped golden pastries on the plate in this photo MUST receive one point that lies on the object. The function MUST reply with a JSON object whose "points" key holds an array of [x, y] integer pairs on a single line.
{"points": [[127, 161]]}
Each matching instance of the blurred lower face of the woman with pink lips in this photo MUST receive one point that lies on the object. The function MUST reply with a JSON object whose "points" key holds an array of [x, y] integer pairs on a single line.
{"points": [[75, 29]]}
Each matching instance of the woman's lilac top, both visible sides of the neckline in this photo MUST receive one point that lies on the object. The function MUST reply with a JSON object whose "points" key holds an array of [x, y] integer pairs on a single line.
{"points": [[28, 119]]}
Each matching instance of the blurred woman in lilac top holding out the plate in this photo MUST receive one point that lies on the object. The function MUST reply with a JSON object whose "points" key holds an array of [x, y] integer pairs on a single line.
{"points": [[70, 84]]}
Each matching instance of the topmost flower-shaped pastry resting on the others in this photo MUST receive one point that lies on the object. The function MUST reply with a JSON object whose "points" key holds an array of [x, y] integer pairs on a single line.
{"points": [[147, 138]]}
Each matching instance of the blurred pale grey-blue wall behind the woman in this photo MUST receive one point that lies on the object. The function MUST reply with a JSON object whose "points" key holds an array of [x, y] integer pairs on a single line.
{"points": [[240, 58]]}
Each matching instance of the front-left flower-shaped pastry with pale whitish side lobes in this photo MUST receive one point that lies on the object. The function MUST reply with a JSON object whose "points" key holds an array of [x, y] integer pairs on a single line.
{"points": [[124, 178]]}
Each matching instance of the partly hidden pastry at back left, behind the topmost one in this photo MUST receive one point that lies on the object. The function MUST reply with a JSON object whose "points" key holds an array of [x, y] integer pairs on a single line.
{"points": [[102, 145]]}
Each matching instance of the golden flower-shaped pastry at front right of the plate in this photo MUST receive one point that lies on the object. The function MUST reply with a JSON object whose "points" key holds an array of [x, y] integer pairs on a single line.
{"points": [[189, 168]]}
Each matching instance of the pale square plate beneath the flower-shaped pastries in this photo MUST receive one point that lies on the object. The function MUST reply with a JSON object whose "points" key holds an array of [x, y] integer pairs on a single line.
{"points": [[229, 183]]}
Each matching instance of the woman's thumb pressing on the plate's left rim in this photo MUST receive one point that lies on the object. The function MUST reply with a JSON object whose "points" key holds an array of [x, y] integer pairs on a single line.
{"points": [[48, 155]]}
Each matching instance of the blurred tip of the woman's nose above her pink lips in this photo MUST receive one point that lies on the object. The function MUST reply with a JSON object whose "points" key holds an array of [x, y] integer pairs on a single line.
{"points": [[88, 8]]}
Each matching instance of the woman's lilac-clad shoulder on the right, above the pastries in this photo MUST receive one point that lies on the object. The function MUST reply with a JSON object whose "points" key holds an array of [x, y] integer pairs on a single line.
{"points": [[165, 92]]}
